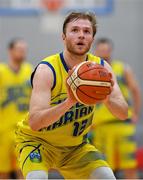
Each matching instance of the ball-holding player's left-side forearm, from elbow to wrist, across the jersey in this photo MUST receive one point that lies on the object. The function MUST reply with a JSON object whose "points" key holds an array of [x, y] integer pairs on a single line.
{"points": [[46, 117]]}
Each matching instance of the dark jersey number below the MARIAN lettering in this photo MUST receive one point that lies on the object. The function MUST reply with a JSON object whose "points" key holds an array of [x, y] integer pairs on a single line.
{"points": [[79, 127]]}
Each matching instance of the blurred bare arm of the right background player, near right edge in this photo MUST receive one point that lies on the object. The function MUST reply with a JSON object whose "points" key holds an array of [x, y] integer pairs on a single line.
{"points": [[134, 88]]}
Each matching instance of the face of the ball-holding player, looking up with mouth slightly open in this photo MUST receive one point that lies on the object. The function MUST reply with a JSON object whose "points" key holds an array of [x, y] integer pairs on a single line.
{"points": [[78, 37]]}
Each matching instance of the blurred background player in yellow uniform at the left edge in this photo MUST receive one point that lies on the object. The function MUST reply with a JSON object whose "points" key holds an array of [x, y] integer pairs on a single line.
{"points": [[14, 98]]}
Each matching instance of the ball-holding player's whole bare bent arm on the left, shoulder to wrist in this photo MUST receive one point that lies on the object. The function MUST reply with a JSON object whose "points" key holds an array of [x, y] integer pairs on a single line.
{"points": [[41, 113]]}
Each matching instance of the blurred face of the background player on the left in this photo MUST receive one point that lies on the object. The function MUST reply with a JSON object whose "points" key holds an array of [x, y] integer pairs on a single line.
{"points": [[19, 51]]}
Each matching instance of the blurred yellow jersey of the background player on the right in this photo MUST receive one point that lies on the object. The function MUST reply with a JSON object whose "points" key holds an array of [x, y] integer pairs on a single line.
{"points": [[102, 114]]}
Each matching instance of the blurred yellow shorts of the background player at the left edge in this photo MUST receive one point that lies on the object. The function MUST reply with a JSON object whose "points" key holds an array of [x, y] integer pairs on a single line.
{"points": [[7, 152]]}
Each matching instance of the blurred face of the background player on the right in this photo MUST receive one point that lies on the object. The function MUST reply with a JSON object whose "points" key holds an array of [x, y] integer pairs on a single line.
{"points": [[104, 51]]}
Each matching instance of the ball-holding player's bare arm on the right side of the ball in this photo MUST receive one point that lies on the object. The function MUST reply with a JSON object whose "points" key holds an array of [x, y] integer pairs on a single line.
{"points": [[116, 102]]}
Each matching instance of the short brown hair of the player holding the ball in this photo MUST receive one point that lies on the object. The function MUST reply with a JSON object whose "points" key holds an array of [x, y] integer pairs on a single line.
{"points": [[81, 15]]}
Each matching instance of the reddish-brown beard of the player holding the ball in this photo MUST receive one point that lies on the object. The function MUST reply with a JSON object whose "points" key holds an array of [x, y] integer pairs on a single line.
{"points": [[78, 51]]}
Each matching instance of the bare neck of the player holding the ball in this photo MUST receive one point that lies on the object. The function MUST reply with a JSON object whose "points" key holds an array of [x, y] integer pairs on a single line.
{"points": [[71, 59]]}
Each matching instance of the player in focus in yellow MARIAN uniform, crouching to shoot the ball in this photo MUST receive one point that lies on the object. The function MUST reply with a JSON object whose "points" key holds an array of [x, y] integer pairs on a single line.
{"points": [[54, 133]]}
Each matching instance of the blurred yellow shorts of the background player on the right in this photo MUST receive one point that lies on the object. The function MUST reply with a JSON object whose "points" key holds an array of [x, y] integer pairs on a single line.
{"points": [[116, 141]]}
